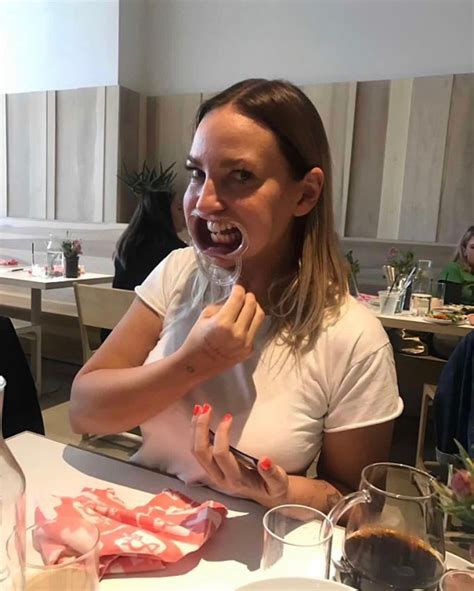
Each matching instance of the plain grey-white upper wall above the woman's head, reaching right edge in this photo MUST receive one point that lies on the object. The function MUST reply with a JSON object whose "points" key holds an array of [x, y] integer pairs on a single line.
{"points": [[196, 45]]}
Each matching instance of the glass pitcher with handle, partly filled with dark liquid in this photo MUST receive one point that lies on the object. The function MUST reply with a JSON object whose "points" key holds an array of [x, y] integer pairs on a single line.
{"points": [[394, 537]]}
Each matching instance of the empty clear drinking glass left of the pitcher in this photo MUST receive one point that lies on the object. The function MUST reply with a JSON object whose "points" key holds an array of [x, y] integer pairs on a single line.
{"points": [[297, 540]]}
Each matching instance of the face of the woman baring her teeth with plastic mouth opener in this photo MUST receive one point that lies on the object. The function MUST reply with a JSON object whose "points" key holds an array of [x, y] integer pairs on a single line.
{"points": [[238, 174]]}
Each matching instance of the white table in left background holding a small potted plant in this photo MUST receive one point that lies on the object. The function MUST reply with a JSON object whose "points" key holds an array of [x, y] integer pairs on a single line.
{"points": [[37, 285]]}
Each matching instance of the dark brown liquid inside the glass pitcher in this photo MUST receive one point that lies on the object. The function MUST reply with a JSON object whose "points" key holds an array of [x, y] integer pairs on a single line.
{"points": [[385, 559]]}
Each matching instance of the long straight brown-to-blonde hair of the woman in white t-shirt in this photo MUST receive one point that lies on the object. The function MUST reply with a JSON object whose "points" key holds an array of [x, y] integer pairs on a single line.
{"points": [[318, 283]]}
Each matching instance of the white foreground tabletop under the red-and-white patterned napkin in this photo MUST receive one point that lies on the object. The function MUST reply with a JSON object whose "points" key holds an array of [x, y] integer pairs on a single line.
{"points": [[227, 561]]}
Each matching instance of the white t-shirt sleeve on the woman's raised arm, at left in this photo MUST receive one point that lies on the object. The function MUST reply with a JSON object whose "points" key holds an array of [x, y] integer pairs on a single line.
{"points": [[157, 289]]}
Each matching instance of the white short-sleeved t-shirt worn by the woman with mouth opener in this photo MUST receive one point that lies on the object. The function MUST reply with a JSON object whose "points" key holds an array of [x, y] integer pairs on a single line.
{"points": [[280, 409]]}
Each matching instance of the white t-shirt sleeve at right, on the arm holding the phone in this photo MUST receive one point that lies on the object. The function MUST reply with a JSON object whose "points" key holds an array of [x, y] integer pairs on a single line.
{"points": [[367, 395]]}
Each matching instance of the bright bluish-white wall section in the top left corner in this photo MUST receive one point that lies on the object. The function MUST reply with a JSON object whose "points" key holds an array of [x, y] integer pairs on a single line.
{"points": [[58, 44]]}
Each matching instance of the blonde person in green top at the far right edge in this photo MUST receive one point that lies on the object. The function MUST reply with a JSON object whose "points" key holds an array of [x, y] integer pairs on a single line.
{"points": [[461, 269]]}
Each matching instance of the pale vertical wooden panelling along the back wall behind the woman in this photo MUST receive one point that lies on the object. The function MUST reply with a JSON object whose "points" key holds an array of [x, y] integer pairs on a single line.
{"points": [[402, 153]]}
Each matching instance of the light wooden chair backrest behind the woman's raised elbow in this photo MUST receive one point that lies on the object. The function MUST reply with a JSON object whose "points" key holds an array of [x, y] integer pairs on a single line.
{"points": [[99, 307]]}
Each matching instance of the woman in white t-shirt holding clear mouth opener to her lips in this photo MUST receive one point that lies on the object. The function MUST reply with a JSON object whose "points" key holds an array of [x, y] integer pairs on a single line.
{"points": [[288, 369]]}
